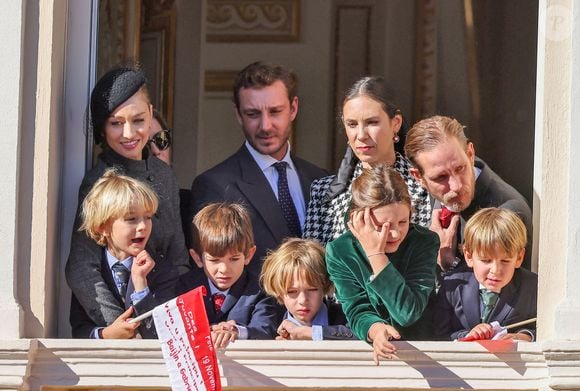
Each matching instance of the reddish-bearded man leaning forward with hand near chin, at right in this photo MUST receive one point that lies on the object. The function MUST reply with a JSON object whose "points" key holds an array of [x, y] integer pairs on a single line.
{"points": [[445, 164]]}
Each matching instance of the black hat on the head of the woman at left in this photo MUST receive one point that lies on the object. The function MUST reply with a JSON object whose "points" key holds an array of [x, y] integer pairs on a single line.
{"points": [[114, 88]]}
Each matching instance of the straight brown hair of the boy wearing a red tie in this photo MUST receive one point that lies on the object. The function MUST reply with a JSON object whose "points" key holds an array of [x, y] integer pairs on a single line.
{"points": [[222, 227]]}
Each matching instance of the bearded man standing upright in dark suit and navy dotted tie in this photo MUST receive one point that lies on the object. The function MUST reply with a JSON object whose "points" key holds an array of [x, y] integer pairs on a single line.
{"points": [[276, 194]]}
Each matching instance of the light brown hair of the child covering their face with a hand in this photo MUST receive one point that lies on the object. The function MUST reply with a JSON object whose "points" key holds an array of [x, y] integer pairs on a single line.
{"points": [[379, 186]]}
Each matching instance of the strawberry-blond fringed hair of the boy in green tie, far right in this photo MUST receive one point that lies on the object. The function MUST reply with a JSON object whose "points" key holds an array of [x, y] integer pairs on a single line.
{"points": [[492, 229]]}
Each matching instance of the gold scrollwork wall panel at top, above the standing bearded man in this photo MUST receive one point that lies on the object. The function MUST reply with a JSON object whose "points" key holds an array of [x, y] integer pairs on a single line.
{"points": [[252, 20]]}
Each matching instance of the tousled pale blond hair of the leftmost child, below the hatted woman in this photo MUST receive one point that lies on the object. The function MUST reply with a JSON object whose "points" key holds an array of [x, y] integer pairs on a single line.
{"points": [[113, 196]]}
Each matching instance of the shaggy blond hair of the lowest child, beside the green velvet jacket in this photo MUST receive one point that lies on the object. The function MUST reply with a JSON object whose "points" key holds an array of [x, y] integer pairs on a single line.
{"points": [[303, 257]]}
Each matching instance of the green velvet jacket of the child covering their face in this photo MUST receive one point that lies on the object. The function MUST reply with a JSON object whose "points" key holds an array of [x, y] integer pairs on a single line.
{"points": [[398, 295]]}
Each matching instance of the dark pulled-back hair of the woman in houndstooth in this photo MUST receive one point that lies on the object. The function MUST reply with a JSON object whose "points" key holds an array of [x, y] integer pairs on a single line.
{"points": [[375, 87]]}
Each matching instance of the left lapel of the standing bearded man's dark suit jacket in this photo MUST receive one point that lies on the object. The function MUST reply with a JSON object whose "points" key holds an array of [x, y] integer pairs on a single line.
{"points": [[258, 192]]}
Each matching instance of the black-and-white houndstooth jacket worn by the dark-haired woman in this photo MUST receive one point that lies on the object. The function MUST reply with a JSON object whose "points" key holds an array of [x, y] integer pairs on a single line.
{"points": [[326, 219]]}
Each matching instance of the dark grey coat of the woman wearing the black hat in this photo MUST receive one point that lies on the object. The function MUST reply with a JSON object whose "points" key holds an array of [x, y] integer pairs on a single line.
{"points": [[166, 245]]}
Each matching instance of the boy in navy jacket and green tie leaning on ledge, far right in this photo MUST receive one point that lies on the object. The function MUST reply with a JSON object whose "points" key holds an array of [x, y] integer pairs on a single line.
{"points": [[496, 289]]}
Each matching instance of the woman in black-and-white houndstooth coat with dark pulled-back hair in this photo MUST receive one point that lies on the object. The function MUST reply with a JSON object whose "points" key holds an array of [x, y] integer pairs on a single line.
{"points": [[375, 130]]}
